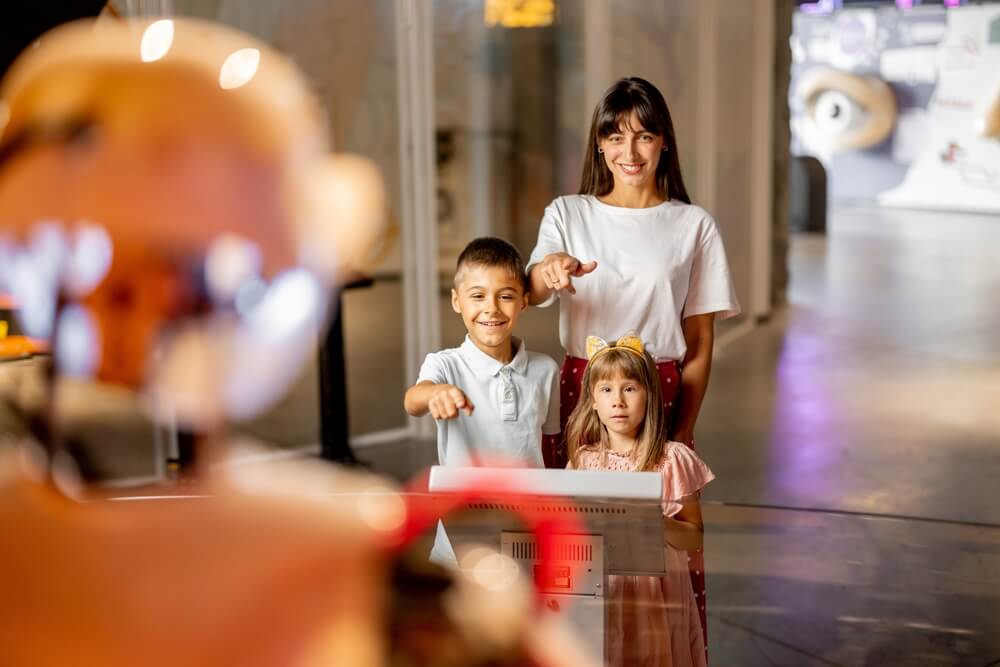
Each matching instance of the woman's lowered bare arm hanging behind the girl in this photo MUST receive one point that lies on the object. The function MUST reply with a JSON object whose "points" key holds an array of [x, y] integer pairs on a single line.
{"points": [[699, 334]]}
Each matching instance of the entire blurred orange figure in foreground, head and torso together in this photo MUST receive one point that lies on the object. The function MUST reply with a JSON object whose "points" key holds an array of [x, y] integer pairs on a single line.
{"points": [[172, 226]]}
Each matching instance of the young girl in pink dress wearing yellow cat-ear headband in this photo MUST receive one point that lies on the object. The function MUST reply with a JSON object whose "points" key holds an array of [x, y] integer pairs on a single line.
{"points": [[619, 424]]}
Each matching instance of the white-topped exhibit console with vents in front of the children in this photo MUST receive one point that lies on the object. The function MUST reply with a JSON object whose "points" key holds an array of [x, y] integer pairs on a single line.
{"points": [[620, 532]]}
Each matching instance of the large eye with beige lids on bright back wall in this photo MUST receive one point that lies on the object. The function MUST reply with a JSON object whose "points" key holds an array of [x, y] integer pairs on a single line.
{"points": [[849, 111]]}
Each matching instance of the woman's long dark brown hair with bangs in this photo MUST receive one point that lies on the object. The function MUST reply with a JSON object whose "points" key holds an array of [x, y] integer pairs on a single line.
{"points": [[625, 96]]}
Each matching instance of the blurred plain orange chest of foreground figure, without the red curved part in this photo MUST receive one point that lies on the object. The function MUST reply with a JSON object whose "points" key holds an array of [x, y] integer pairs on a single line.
{"points": [[221, 578]]}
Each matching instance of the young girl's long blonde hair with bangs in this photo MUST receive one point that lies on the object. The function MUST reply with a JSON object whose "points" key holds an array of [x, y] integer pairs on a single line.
{"points": [[585, 429]]}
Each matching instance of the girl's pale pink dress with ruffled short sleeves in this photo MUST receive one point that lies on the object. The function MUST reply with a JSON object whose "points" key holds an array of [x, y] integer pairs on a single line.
{"points": [[654, 621]]}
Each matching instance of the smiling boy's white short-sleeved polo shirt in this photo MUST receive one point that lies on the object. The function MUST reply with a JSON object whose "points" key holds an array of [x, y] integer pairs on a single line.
{"points": [[514, 404]]}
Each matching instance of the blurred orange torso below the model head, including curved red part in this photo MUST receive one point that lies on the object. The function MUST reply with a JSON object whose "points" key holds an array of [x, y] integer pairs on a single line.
{"points": [[256, 566]]}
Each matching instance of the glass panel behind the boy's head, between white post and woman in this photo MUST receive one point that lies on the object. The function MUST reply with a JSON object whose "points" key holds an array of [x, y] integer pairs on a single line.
{"points": [[508, 140]]}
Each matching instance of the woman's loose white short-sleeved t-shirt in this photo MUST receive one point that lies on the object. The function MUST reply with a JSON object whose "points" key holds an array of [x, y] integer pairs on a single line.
{"points": [[655, 266]]}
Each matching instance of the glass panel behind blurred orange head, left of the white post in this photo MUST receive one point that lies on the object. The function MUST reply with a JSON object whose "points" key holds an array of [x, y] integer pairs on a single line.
{"points": [[347, 50]]}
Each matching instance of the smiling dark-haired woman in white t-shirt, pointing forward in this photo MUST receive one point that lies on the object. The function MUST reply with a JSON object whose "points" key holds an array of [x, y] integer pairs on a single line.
{"points": [[630, 253]]}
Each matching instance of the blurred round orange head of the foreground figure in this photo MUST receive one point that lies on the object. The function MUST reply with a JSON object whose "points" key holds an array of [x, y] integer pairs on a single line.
{"points": [[168, 195]]}
